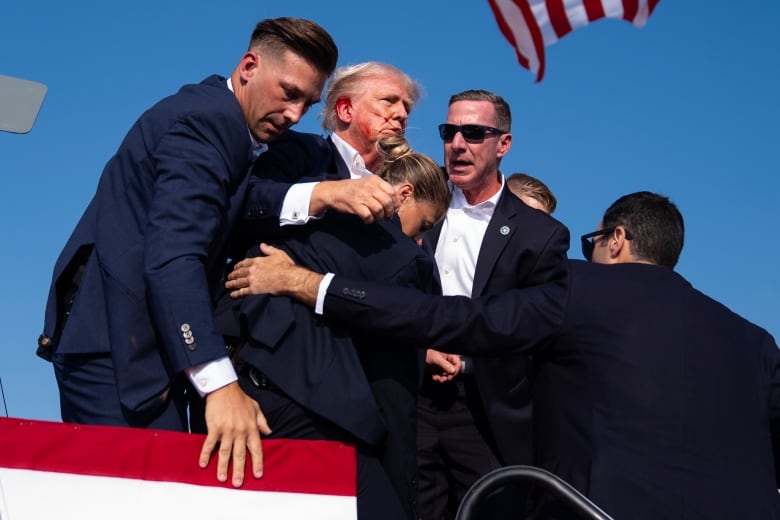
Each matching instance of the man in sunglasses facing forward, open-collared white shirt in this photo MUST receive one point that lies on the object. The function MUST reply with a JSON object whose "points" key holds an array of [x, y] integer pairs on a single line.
{"points": [[474, 416]]}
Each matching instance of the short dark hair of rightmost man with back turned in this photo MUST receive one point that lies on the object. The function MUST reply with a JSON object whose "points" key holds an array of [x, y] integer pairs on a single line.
{"points": [[655, 223]]}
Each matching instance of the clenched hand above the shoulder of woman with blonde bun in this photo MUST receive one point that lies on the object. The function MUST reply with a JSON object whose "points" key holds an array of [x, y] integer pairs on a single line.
{"points": [[371, 198]]}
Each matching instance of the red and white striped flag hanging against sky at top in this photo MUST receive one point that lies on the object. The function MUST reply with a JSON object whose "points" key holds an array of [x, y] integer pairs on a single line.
{"points": [[532, 25]]}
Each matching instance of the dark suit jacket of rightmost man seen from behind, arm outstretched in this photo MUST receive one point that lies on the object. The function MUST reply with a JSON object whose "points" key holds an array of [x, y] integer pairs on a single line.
{"points": [[649, 397]]}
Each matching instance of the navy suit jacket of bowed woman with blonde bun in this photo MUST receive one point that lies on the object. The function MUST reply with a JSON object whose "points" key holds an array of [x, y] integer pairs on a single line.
{"points": [[323, 366]]}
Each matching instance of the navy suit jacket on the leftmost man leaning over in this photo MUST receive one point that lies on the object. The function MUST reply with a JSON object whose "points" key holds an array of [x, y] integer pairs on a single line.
{"points": [[153, 240]]}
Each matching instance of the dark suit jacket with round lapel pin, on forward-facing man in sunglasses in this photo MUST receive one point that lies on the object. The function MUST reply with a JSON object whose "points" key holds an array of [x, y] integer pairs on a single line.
{"points": [[521, 247]]}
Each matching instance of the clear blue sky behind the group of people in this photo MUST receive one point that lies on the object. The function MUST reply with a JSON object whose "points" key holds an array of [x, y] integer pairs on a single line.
{"points": [[688, 106]]}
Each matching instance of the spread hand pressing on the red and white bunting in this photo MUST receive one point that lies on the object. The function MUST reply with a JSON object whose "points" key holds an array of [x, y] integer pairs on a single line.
{"points": [[234, 422]]}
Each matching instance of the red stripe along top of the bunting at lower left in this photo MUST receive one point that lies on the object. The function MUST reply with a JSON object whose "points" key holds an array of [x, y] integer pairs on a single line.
{"points": [[294, 466]]}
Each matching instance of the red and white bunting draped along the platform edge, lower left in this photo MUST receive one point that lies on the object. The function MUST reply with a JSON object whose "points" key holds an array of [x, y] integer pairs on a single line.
{"points": [[56, 470]]}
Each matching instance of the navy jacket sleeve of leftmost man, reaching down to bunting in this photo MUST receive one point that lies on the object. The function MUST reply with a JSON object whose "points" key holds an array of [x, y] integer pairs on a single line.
{"points": [[200, 162]]}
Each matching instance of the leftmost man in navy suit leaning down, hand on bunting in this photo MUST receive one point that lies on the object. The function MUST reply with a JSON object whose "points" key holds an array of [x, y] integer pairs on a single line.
{"points": [[129, 321]]}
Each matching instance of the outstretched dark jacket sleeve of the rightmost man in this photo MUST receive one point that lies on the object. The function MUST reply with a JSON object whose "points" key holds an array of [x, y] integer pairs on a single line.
{"points": [[513, 319]]}
